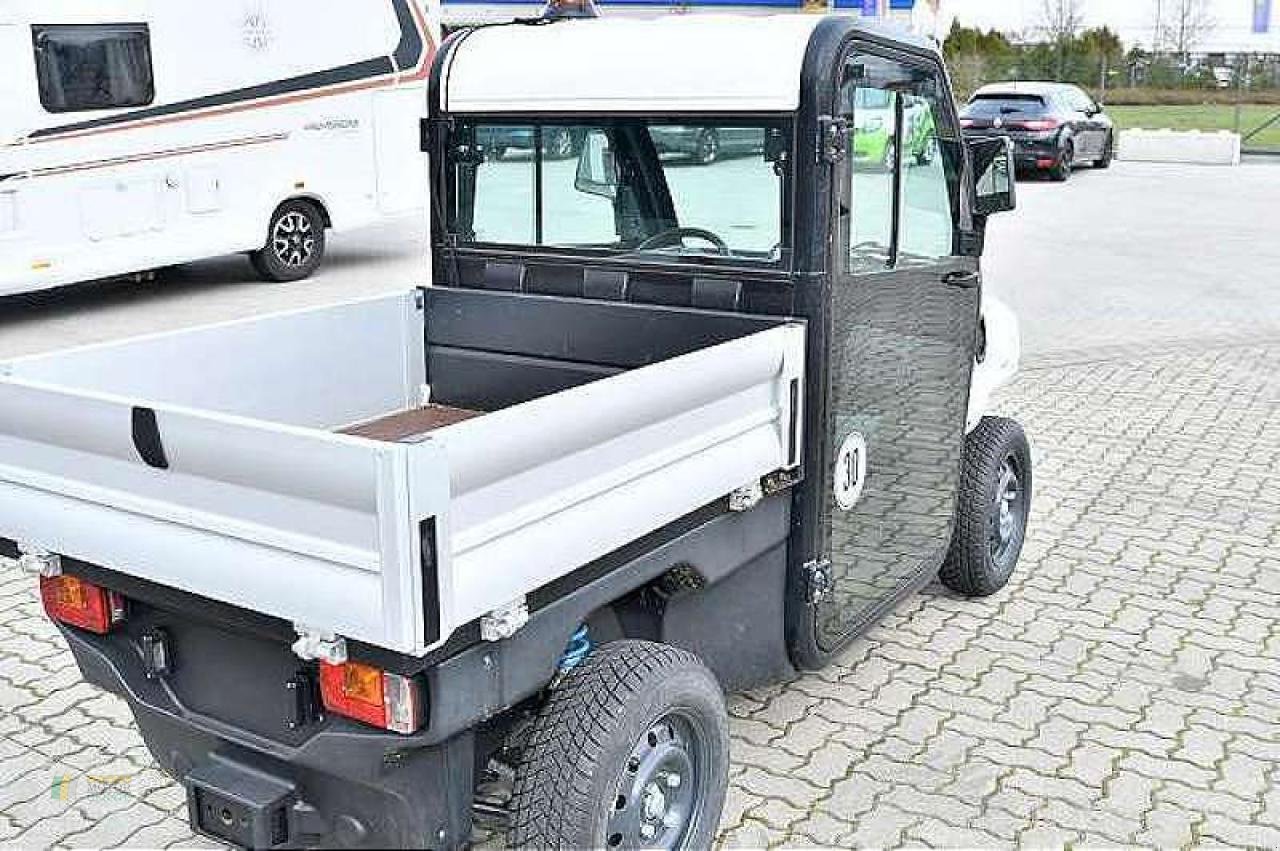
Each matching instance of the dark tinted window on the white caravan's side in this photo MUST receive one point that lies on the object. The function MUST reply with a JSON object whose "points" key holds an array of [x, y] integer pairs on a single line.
{"points": [[93, 67]]}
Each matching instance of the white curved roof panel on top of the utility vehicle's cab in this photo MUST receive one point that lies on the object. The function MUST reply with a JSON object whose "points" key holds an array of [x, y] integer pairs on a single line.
{"points": [[675, 63]]}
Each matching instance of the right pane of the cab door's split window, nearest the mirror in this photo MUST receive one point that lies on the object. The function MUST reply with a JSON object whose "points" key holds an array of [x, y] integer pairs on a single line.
{"points": [[926, 234]]}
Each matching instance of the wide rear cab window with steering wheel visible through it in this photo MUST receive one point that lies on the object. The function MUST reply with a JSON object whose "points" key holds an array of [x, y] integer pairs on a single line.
{"points": [[630, 186]]}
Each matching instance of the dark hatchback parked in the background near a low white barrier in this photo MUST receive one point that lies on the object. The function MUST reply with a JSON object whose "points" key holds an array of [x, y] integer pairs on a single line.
{"points": [[1054, 126]]}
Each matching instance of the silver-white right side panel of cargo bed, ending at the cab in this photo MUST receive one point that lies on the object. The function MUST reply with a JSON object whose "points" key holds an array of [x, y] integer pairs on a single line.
{"points": [[545, 488]]}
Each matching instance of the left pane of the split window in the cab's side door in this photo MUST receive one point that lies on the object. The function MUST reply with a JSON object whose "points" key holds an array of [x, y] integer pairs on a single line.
{"points": [[872, 111]]}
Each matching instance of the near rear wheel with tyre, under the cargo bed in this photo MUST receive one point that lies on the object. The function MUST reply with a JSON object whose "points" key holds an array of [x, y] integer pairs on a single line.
{"points": [[630, 752]]}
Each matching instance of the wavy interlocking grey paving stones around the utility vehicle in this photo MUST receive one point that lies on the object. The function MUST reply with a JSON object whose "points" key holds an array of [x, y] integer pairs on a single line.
{"points": [[1126, 689]]}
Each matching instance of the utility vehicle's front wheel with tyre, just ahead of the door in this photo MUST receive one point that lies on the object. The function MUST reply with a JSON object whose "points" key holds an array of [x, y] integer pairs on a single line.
{"points": [[993, 511]]}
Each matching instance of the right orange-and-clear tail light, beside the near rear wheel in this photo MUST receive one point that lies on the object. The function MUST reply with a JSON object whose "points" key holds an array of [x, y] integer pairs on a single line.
{"points": [[372, 696]]}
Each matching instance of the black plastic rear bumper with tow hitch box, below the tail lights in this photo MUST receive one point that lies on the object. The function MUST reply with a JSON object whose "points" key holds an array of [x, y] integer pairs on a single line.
{"points": [[344, 788]]}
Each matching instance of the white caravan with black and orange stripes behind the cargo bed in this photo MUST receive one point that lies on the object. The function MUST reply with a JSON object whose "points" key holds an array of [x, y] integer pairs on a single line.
{"points": [[138, 135]]}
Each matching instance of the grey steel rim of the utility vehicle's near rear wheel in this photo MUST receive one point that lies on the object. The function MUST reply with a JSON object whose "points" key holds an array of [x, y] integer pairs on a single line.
{"points": [[662, 789]]}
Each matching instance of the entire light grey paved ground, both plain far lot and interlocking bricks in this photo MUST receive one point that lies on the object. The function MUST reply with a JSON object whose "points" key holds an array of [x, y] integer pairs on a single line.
{"points": [[1123, 690]]}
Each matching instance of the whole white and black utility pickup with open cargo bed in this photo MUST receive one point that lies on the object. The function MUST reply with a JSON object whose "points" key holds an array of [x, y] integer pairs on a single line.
{"points": [[493, 548]]}
